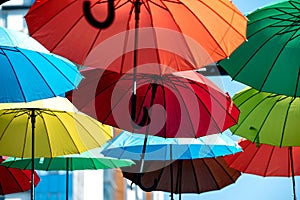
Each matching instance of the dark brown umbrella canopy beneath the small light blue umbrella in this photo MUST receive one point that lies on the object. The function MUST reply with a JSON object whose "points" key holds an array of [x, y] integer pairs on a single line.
{"points": [[187, 176]]}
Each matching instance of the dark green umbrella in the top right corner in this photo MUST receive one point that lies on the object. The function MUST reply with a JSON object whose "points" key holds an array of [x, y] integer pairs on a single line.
{"points": [[269, 61]]}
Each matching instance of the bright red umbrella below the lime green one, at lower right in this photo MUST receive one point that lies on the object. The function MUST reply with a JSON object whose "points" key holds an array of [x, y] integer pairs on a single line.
{"points": [[266, 160]]}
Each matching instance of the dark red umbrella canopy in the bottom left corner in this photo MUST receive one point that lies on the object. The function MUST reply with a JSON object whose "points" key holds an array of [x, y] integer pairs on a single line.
{"points": [[15, 180]]}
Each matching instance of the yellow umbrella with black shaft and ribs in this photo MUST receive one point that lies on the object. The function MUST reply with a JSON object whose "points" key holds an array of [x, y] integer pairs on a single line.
{"points": [[48, 128]]}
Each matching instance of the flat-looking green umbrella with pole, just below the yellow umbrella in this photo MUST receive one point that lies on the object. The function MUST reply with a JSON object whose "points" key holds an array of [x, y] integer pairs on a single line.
{"points": [[91, 160]]}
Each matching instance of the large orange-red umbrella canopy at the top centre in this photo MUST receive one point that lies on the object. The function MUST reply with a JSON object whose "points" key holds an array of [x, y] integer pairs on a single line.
{"points": [[195, 19]]}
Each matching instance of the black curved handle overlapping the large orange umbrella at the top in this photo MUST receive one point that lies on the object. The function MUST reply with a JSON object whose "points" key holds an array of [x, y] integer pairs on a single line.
{"points": [[90, 18]]}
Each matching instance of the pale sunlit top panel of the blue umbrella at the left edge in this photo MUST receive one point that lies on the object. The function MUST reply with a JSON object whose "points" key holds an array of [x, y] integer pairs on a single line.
{"points": [[19, 39]]}
